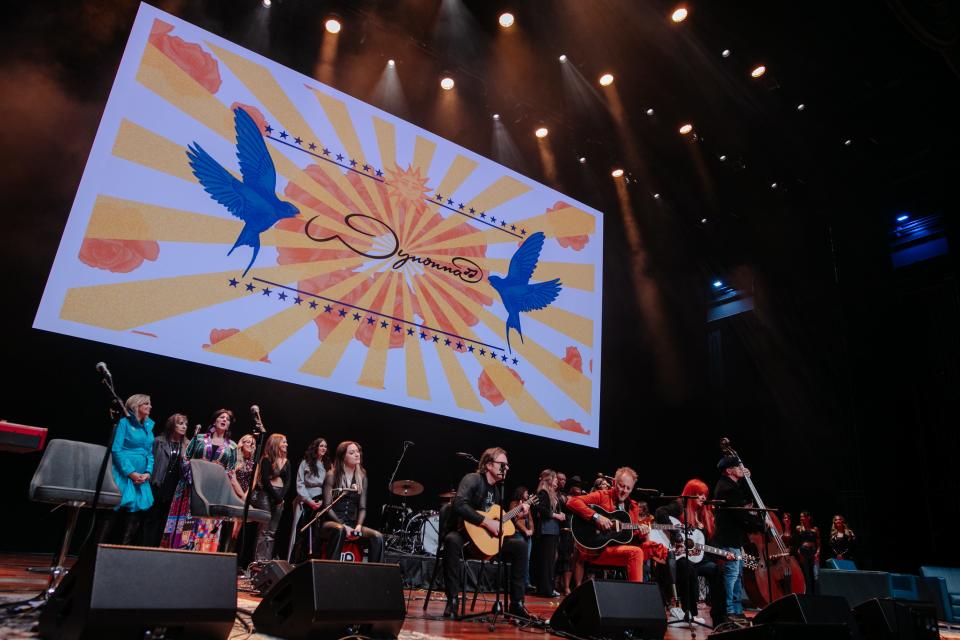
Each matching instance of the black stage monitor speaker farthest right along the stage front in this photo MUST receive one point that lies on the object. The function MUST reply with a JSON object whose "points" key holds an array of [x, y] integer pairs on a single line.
{"points": [[888, 619]]}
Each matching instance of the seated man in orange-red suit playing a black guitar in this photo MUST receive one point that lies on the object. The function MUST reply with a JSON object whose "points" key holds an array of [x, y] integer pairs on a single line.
{"points": [[616, 498]]}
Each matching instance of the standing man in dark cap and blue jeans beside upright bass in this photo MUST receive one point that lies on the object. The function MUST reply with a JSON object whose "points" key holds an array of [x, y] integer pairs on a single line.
{"points": [[732, 527]]}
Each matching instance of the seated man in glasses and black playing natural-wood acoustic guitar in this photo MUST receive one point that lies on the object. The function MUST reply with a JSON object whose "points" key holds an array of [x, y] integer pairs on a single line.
{"points": [[479, 491]]}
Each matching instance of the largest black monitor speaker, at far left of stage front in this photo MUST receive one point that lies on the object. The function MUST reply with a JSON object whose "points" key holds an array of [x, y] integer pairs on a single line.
{"points": [[135, 592]]}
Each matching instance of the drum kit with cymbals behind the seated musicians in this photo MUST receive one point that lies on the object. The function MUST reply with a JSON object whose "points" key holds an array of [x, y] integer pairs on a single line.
{"points": [[406, 531]]}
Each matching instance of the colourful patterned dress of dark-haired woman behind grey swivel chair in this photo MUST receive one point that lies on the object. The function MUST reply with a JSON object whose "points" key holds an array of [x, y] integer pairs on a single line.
{"points": [[182, 530]]}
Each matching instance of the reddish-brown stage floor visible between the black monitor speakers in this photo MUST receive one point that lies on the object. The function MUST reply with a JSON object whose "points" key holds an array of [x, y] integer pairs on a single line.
{"points": [[17, 584]]}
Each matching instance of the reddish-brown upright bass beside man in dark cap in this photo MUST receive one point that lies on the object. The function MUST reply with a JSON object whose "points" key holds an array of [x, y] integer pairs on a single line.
{"points": [[778, 573]]}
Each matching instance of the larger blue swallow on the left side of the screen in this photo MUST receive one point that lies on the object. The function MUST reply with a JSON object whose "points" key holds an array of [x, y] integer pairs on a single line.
{"points": [[254, 200]]}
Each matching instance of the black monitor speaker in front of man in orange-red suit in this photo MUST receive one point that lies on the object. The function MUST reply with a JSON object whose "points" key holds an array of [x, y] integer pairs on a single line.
{"points": [[612, 608]]}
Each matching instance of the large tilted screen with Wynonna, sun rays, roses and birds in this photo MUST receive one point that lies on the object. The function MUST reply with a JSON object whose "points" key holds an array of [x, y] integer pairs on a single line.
{"points": [[238, 214]]}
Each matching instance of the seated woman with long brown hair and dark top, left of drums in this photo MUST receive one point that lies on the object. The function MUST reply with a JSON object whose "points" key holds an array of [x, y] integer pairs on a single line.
{"points": [[345, 518]]}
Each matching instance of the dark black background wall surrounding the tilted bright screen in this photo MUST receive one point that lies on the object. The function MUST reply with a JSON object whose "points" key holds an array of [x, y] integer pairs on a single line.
{"points": [[840, 389]]}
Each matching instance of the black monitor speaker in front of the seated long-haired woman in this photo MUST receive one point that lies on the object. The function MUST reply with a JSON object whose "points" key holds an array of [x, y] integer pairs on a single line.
{"points": [[325, 599]]}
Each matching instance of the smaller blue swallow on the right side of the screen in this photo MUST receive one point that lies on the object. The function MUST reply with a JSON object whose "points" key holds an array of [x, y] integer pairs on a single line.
{"points": [[516, 291]]}
